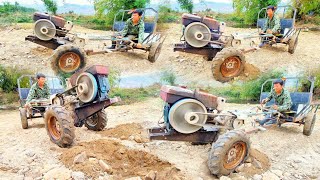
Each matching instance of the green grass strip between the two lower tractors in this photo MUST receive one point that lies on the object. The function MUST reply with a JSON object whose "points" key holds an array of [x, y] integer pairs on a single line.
{"points": [[133, 95]]}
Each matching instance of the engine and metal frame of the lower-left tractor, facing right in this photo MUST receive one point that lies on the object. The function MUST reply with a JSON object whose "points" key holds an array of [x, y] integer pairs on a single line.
{"points": [[87, 94]]}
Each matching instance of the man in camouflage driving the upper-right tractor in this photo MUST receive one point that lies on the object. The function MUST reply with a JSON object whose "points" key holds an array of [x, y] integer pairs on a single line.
{"points": [[272, 24]]}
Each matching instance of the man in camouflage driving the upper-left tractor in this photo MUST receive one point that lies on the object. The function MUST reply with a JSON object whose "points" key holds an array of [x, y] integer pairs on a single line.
{"points": [[134, 28]]}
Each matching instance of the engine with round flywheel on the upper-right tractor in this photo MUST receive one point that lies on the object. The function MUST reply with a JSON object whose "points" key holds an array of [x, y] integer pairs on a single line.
{"points": [[198, 31]]}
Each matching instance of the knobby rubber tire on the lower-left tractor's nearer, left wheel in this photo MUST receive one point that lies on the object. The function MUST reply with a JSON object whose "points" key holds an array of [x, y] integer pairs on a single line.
{"points": [[66, 122]]}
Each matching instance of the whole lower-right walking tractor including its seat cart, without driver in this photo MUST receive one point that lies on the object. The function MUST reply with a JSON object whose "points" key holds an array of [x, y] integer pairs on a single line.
{"points": [[199, 117]]}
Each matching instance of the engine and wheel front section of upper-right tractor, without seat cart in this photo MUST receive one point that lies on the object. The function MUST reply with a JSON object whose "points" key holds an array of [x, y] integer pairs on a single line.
{"points": [[204, 36]]}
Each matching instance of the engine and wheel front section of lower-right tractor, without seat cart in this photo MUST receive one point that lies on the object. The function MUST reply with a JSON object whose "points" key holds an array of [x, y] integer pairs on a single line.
{"points": [[198, 117]]}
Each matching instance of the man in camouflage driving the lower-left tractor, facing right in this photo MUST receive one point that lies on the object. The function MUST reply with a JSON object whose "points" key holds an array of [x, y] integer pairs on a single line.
{"points": [[39, 90]]}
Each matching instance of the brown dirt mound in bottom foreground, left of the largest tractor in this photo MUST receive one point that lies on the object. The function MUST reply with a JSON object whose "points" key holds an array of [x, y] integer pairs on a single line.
{"points": [[124, 162]]}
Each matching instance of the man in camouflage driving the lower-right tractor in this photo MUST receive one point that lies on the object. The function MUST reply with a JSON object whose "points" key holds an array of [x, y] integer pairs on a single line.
{"points": [[282, 101]]}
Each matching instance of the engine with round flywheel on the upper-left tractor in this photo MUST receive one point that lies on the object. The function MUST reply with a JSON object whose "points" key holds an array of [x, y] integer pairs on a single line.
{"points": [[47, 27]]}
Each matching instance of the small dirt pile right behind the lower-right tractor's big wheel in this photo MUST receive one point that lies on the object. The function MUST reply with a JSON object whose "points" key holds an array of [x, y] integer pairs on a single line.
{"points": [[257, 163]]}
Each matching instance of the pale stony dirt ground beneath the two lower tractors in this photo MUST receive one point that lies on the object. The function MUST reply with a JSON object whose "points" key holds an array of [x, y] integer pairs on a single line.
{"points": [[26, 154]]}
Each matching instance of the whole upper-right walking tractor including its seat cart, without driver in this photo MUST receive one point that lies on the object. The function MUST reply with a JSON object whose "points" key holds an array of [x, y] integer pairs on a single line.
{"points": [[205, 36]]}
